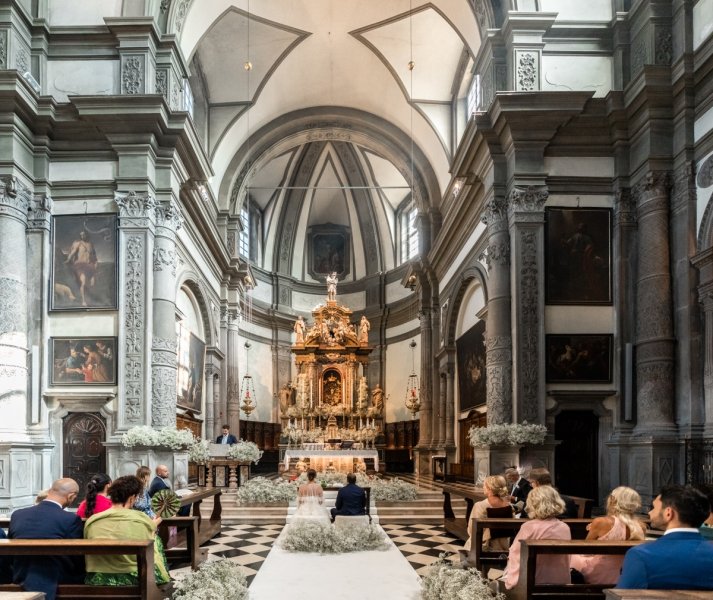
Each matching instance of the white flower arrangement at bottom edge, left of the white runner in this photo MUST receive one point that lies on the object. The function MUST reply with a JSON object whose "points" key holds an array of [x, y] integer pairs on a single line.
{"points": [[215, 580]]}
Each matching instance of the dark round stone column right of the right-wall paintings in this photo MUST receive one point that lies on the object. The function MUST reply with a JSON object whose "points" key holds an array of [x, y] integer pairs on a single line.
{"points": [[654, 323]]}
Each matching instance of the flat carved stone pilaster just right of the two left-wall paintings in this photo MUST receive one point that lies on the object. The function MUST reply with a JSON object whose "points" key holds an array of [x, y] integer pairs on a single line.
{"points": [[136, 233]]}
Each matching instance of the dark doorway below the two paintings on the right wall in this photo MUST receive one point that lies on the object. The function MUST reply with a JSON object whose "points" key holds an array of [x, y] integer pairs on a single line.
{"points": [[577, 456]]}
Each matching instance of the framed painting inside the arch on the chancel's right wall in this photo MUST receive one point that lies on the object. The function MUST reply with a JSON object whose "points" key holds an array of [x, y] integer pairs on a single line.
{"points": [[470, 353]]}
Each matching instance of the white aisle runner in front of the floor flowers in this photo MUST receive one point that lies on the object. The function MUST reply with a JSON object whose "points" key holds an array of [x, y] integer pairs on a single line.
{"points": [[349, 576]]}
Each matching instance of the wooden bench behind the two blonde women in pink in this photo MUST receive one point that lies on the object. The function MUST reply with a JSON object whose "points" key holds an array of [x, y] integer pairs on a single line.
{"points": [[527, 589]]}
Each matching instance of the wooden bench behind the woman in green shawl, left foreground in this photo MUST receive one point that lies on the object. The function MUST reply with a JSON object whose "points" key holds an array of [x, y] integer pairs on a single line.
{"points": [[142, 549]]}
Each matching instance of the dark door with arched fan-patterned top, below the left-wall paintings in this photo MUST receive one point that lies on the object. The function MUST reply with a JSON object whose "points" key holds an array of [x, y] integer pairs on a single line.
{"points": [[84, 452]]}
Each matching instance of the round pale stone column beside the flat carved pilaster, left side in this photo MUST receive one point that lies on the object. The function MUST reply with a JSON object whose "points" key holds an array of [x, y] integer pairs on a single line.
{"points": [[163, 343]]}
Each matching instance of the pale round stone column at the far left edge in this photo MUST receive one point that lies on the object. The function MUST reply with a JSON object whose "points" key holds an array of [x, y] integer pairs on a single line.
{"points": [[14, 205]]}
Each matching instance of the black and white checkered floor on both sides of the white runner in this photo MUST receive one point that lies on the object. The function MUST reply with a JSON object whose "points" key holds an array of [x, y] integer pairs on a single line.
{"points": [[249, 545]]}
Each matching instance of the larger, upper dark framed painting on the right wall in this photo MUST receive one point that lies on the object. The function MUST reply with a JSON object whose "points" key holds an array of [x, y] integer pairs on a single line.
{"points": [[578, 256]]}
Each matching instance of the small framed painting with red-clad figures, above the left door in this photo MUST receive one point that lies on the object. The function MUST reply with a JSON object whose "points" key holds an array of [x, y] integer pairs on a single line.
{"points": [[83, 361]]}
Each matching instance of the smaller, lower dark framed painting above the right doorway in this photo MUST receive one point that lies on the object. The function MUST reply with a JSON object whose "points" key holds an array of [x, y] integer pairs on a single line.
{"points": [[579, 358]]}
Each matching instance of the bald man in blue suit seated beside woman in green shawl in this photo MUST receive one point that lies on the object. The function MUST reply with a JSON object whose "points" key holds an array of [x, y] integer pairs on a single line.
{"points": [[48, 520]]}
